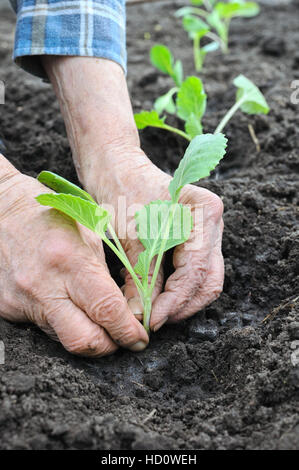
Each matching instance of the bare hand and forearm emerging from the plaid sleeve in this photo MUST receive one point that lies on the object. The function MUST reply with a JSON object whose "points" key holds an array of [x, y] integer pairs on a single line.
{"points": [[110, 164]]}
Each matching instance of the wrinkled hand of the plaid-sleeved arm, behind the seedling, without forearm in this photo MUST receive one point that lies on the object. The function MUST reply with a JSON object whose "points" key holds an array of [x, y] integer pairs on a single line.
{"points": [[199, 268]]}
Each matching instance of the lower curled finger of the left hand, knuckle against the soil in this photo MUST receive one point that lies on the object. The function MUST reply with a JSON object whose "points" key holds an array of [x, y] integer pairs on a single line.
{"points": [[77, 333]]}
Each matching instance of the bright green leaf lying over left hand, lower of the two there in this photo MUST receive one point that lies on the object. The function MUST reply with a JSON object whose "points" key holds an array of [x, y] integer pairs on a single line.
{"points": [[85, 212]]}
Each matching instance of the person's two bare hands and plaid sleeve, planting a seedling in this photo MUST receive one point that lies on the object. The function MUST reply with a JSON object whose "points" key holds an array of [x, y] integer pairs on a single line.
{"points": [[53, 271]]}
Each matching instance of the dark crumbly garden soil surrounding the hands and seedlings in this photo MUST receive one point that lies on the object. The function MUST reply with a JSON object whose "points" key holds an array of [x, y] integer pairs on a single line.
{"points": [[224, 379]]}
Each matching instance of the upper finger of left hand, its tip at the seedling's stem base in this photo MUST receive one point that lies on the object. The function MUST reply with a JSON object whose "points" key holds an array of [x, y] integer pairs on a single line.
{"points": [[93, 290]]}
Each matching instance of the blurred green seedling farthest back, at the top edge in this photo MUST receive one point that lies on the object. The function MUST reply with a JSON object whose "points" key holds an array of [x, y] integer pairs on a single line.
{"points": [[217, 16]]}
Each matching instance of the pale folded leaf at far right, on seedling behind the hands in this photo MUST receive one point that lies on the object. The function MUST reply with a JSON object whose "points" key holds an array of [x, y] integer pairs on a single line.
{"points": [[254, 101]]}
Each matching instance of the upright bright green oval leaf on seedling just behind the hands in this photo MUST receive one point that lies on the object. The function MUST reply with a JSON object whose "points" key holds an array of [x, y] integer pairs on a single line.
{"points": [[191, 99]]}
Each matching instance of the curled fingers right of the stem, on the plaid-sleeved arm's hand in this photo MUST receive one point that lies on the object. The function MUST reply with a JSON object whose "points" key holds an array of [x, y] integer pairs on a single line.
{"points": [[199, 273]]}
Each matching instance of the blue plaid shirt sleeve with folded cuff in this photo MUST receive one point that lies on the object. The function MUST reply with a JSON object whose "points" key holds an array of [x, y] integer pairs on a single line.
{"points": [[92, 28]]}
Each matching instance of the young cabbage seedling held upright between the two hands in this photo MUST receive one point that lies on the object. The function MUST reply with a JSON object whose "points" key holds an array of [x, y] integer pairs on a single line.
{"points": [[160, 225]]}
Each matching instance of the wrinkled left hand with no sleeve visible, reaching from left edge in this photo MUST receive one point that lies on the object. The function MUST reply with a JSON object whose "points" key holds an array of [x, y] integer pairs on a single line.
{"points": [[53, 273]]}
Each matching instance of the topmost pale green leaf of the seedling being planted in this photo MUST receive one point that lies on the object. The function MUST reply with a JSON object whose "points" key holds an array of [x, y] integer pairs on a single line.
{"points": [[201, 157]]}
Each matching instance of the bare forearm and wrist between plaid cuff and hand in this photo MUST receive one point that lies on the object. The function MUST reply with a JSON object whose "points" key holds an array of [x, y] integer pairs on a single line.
{"points": [[96, 107]]}
